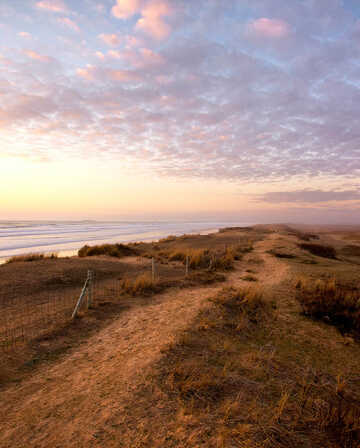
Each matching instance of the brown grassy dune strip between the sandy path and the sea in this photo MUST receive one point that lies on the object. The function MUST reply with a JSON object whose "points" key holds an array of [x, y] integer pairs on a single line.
{"points": [[40, 298]]}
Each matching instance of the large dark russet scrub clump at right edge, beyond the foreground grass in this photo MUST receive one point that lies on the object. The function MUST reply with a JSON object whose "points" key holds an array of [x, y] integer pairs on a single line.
{"points": [[331, 302]]}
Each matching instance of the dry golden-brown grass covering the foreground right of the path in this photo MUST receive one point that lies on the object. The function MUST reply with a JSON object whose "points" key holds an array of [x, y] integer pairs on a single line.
{"points": [[232, 382]]}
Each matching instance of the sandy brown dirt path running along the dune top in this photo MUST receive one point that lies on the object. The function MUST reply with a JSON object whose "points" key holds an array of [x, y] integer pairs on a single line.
{"points": [[68, 404]]}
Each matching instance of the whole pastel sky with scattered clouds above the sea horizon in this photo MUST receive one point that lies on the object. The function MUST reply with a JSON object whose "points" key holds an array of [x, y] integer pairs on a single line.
{"points": [[177, 109]]}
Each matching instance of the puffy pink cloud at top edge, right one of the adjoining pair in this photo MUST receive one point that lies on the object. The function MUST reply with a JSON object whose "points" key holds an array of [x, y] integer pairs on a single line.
{"points": [[152, 20]]}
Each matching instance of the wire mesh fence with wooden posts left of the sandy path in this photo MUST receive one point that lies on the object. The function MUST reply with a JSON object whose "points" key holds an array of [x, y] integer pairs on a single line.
{"points": [[25, 317]]}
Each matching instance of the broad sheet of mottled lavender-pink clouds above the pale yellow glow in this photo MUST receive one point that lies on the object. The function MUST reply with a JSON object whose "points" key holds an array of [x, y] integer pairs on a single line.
{"points": [[190, 90]]}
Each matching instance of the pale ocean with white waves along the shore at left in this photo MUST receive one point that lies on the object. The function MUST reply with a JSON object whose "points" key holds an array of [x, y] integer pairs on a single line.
{"points": [[66, 237]]}
